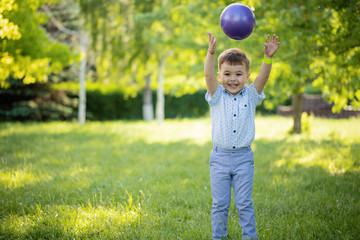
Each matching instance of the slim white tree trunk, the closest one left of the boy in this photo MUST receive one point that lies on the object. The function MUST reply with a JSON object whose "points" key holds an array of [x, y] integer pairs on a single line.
{"points": [[160, 103]]}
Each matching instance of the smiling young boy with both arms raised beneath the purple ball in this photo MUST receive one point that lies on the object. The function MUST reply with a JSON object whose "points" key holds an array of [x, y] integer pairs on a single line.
{"points": [[232, 107]]}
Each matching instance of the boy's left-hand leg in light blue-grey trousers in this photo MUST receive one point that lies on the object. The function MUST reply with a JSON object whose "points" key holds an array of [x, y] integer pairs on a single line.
{"points": [[221, 195]]}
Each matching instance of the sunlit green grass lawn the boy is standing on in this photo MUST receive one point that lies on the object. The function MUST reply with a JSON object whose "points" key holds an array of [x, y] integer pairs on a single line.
{"points": [[136, 180]]}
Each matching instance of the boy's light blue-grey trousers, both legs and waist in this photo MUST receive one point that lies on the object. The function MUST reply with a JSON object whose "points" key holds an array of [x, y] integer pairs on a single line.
{"points": [[235, 168]]}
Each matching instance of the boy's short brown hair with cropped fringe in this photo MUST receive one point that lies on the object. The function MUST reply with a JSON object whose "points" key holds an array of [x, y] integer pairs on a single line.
{"points": [[234, 56]]}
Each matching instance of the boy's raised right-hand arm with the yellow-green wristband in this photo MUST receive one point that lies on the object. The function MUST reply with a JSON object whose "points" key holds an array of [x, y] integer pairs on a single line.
{"points": [[270, 48]]}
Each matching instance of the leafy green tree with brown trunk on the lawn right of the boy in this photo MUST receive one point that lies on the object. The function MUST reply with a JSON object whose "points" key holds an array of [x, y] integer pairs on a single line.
{"points": [[306, 55]]}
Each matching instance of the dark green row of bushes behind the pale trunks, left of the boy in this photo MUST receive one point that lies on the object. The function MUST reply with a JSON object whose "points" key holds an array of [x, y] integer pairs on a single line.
{"points": [[43, 102]]}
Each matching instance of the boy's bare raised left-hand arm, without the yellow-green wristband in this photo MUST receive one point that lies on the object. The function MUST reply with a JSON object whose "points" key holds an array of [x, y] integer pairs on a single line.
{"points": [[209, 67]]}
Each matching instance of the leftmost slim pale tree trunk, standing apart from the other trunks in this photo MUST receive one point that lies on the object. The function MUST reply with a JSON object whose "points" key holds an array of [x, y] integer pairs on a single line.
{"points": [[84, 38]]}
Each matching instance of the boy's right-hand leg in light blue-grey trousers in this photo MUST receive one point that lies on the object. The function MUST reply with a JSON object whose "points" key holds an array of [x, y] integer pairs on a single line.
{"points": [[243, 183]]}
